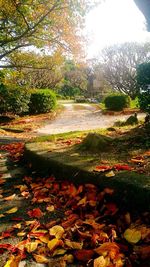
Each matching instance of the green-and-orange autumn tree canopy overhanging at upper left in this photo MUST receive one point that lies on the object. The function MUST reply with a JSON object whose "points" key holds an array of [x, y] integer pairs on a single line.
{"points": [[50, 24]]}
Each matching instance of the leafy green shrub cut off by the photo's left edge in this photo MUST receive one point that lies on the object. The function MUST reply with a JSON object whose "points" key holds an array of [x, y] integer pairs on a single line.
{"points": [[14, 99]]}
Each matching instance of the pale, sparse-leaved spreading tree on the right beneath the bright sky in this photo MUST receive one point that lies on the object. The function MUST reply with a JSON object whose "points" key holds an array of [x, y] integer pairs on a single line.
{"points": [[119, 64]]}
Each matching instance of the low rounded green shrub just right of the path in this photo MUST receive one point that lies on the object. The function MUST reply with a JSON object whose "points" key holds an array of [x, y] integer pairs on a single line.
{"points": [[117, 102]]}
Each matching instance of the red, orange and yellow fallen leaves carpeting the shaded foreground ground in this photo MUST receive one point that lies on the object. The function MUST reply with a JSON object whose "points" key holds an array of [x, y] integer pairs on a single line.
{"points": [[79, 225]]}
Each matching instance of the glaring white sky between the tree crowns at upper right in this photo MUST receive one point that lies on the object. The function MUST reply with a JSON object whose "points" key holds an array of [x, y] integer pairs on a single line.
{"points": [[114, 21]]}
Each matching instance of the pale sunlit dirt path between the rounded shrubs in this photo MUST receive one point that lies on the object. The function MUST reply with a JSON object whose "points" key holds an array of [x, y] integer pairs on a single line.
{"points": [[79, 117]]}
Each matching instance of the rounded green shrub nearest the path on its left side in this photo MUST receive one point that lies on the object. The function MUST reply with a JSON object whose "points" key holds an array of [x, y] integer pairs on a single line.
{"points": [[42, 101]]}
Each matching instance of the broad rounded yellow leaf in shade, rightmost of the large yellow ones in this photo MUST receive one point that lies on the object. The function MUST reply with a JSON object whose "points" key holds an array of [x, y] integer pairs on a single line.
{"points": [[132, 235]]}
